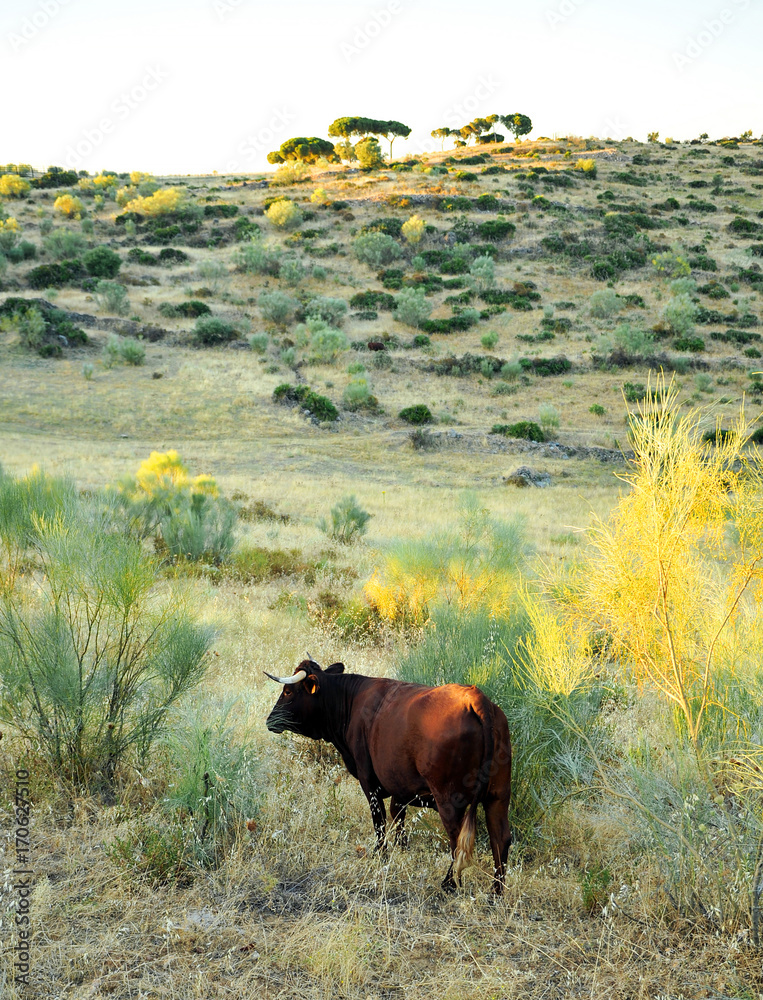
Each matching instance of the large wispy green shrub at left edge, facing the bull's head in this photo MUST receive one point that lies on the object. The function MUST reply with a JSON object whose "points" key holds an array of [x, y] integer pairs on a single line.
{"points": [[88, 706]]}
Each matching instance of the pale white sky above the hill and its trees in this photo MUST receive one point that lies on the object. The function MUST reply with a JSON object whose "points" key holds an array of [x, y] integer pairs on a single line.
{"points": [[196, 86]]}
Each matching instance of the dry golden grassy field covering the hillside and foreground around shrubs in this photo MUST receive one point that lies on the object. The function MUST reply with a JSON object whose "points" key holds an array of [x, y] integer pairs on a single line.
{"points": [[298, 906]]}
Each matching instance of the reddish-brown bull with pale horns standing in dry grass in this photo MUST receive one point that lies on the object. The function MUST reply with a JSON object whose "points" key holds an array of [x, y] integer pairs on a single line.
{"points": [[446, 748]]}
